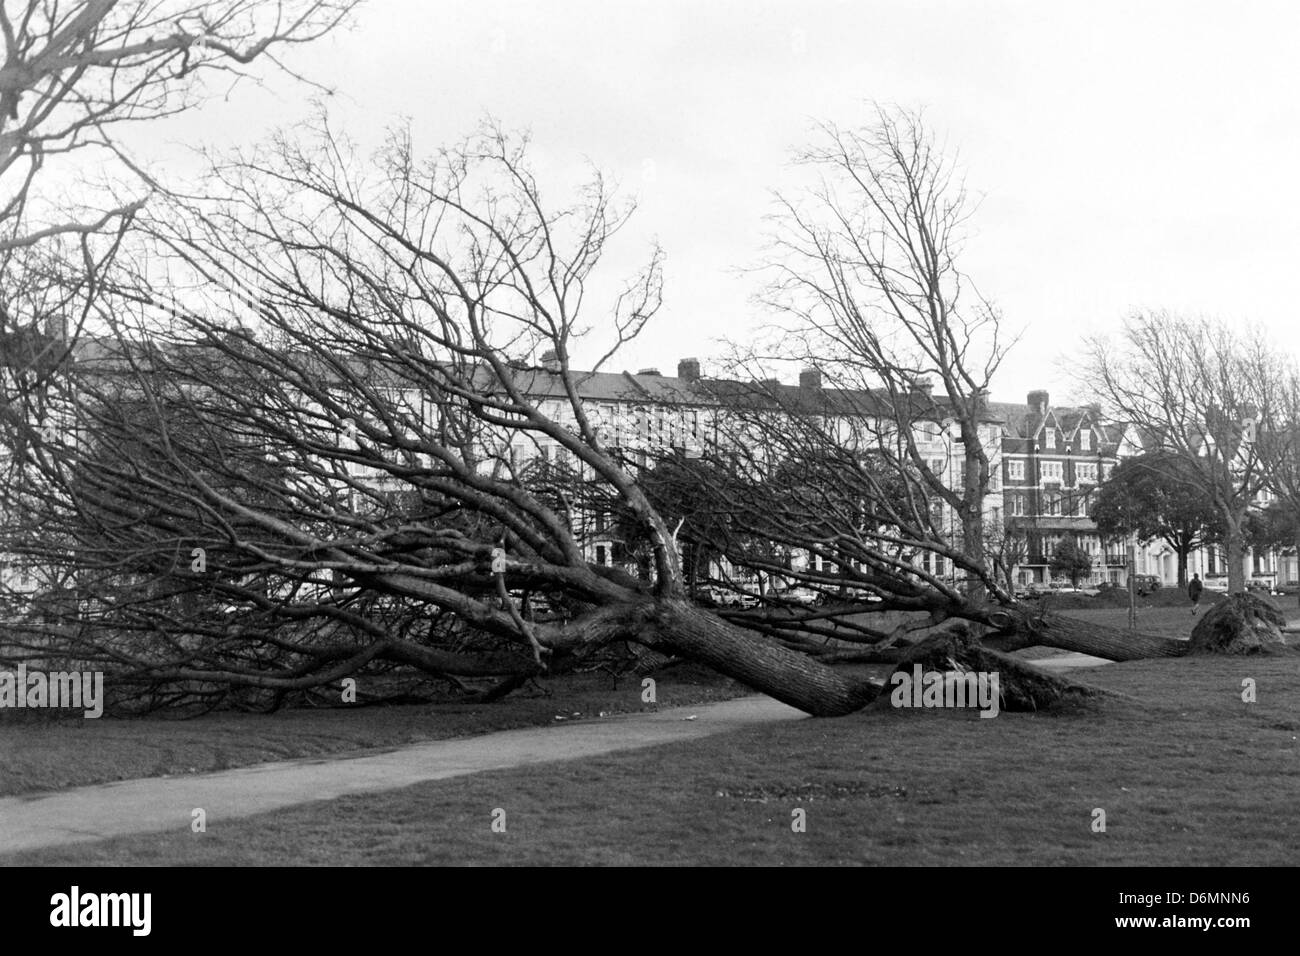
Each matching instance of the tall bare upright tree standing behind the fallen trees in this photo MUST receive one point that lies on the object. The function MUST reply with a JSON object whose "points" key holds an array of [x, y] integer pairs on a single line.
{"points": [[865, 274]]}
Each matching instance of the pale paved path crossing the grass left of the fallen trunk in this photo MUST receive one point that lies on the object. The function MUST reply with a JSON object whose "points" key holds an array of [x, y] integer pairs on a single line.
{"points": [[166, 803]]}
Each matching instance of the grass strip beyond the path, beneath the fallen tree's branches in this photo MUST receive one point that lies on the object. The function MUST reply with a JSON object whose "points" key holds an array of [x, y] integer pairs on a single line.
{"points": [[42, 751]]}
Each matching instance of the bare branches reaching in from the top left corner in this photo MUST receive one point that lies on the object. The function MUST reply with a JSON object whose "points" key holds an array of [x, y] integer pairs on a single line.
{"points": [[77, 72]]}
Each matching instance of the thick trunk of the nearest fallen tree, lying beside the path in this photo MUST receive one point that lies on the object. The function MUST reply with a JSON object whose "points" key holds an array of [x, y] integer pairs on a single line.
{"points": [[756, 661]]}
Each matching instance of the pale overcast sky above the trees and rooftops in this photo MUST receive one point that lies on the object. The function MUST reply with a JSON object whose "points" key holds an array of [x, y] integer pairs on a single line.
{"points": [[1129, 154]]}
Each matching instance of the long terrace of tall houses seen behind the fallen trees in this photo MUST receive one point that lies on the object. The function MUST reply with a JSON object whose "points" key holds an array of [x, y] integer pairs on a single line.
{"points": [[1047, 462]]}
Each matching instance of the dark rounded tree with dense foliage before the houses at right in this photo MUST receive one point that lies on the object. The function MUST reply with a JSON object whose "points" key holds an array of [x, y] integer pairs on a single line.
{"points": [[1152, 498]]}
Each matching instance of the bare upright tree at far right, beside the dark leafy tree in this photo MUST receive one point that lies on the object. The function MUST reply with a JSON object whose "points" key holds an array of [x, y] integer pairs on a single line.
{"points": [[1204, 399]]}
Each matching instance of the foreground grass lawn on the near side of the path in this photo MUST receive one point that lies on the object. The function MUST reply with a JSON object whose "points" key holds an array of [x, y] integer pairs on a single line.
{"points": [[1188, 775]]}
